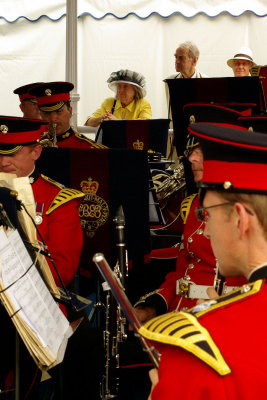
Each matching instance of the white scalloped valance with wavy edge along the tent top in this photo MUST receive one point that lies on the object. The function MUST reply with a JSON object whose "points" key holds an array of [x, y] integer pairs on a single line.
{"points": [[12, 10]]}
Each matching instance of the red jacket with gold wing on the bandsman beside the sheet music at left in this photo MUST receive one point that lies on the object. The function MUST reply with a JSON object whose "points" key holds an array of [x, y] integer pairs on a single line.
{"points": [[60, 227]]}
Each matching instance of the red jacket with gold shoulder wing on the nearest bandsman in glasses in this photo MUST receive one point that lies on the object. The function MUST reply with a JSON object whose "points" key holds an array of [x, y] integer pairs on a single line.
{"points": [[216, 351]]}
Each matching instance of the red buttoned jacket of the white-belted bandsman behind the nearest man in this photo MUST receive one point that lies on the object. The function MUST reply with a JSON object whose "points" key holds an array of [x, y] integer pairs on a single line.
{"points": [[195, 264]]}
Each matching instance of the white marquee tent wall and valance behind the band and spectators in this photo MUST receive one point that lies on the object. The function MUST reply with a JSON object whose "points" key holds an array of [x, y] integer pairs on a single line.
{"points": [[141, 35]]}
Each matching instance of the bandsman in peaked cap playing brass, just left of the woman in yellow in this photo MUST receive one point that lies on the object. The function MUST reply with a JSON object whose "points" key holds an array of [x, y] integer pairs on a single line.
{"points": [[53, 100]]}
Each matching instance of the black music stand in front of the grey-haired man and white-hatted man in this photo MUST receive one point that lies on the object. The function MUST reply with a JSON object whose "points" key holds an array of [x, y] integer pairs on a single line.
{"points": [[210, 90]]}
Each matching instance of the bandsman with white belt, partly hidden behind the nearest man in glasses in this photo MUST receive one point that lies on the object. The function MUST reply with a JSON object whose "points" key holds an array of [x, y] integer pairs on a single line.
{"points": [[196, 265]]}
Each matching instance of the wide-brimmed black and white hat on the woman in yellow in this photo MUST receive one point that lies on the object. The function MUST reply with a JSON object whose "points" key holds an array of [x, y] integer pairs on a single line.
{"points": [[127, 76]]}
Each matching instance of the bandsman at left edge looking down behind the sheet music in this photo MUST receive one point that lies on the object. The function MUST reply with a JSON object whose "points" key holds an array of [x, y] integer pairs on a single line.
{"points": [[57, 215]]}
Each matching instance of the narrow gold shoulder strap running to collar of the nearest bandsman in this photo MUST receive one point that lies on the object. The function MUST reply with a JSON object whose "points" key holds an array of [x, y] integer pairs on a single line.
{"points": [[238, 294]]}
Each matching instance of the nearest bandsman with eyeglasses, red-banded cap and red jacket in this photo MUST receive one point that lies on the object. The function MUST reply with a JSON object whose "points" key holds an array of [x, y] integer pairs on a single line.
{"points": [[222, 342]]}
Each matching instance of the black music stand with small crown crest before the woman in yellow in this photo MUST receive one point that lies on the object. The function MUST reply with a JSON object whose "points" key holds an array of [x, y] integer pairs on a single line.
{"points": [[151, 134]]}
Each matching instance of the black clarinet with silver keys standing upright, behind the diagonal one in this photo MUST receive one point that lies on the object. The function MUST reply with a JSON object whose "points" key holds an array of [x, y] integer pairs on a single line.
{"points": [[115, 323]]}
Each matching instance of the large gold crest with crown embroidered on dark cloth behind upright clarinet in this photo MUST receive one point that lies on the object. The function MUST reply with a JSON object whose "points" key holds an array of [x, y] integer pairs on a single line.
{"points": [[93, 210]]}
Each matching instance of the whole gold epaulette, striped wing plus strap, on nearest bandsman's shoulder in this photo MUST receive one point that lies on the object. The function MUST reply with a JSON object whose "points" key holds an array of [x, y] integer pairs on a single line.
{"points": [[184, 330]]}
